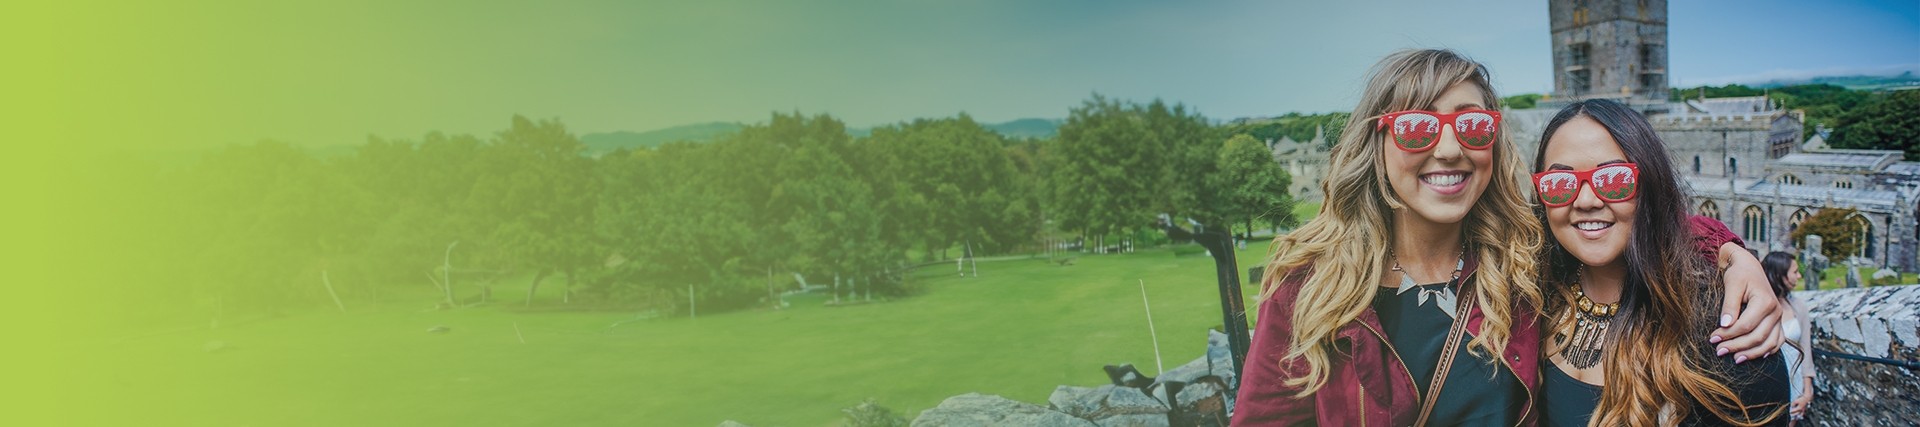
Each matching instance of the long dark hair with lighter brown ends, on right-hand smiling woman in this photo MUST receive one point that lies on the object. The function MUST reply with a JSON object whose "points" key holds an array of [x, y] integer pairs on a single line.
{"points": [[1669, 295]]}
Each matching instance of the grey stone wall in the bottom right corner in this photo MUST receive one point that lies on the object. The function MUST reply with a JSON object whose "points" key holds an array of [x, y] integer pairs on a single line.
{"points": [[1879, 322]]}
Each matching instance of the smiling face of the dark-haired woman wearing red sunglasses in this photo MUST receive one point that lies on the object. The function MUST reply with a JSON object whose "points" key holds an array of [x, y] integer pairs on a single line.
{"points": [[1591, 230]]}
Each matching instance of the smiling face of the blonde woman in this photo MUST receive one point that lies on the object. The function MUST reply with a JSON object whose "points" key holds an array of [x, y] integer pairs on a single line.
{"points": [[1441, 186]]}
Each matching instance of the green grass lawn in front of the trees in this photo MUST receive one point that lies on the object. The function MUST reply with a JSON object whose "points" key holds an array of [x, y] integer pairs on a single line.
{"points": [[1019, 330]]}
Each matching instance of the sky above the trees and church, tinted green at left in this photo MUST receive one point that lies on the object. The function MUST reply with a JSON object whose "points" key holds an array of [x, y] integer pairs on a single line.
{"points": [[210, 74]]}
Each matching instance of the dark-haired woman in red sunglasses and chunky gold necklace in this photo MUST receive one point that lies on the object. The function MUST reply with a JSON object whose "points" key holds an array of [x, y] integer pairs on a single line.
{"points": [[1625, 274]]}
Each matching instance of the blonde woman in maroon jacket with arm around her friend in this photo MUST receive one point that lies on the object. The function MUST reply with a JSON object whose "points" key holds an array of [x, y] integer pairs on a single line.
{"points": [[1412, 297]]}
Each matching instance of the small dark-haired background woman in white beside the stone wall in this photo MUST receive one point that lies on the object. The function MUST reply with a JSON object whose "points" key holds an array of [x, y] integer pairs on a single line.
{"points": [[1785, 274]]}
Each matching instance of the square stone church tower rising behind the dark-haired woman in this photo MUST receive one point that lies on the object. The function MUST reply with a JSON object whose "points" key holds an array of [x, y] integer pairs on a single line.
{"points": [[1610, 49]]}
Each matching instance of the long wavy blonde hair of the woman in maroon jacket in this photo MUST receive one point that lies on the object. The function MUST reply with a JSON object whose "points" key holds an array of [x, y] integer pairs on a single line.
{"points": [[1345, 243]]}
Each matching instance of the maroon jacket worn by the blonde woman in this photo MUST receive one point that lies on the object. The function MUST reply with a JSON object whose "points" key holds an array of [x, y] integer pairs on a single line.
{"points": [[1366, 382]]}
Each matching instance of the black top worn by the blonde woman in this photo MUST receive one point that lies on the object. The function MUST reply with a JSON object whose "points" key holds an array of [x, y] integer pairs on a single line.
{"points": [[1479, 391]]}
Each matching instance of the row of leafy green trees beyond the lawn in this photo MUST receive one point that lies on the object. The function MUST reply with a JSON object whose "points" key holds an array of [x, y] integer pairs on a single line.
{"points": [[272, 226]]}
